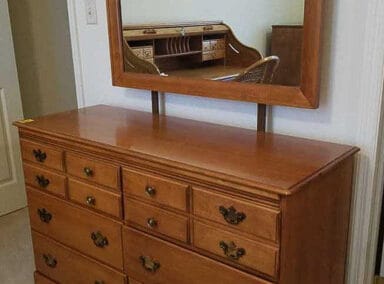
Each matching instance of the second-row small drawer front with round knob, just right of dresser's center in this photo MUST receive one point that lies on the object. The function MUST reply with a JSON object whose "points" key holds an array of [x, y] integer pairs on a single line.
{"points": [[156, 219]]}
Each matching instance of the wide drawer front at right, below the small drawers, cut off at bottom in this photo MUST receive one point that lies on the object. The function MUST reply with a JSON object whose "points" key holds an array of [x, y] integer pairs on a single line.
{"points": [[151, 260]]}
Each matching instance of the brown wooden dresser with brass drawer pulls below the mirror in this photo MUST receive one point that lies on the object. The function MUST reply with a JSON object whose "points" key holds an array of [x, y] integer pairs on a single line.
{"points": [[121, 196]]}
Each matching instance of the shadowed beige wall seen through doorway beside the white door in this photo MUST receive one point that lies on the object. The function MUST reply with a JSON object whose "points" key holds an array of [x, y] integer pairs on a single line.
{"points": [[43, 54]]}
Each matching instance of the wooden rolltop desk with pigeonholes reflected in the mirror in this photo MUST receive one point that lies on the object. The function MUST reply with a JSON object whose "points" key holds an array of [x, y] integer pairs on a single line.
{"points": [[207, 50]]}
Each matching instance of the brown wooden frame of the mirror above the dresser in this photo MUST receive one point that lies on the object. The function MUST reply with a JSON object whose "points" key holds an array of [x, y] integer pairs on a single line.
{"points": [[304, 96]]}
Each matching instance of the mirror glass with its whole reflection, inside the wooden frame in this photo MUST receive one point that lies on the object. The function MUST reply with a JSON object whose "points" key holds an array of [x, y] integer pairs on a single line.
{"points": [[255, 41]]}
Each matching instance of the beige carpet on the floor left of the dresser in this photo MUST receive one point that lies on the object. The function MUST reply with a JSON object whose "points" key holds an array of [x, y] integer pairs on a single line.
{"points": [[16, 257]]}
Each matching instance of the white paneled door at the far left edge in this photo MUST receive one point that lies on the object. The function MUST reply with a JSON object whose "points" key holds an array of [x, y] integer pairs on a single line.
{"points": [[12, 193]]}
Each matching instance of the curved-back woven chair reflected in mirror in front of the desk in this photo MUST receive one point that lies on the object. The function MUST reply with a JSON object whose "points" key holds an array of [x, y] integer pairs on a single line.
{"points": [[261, 72]]}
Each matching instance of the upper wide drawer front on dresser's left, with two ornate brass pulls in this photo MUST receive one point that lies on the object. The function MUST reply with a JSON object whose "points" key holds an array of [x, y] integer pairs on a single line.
{"points": [[91, 234]]}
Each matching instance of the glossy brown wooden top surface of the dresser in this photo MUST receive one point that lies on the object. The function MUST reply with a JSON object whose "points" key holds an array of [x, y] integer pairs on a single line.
{"points": [[273, 162]]}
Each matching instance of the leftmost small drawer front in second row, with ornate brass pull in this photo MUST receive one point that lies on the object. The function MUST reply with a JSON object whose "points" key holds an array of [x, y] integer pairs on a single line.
{"points": [[45, 180]]}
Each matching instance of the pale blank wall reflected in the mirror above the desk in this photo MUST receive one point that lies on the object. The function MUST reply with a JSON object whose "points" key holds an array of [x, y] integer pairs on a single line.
{"points": [[251, 20]]}
